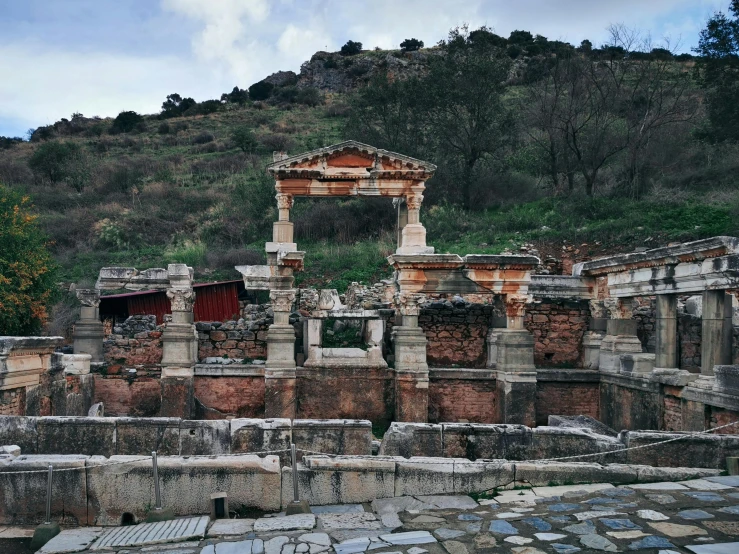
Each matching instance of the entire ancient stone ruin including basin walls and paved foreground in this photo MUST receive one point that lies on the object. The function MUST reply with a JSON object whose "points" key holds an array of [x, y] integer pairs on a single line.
{"points": [[471, 402]]}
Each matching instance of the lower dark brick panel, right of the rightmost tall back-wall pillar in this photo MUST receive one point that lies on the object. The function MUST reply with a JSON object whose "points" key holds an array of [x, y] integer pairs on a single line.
{"points": [[557, 398]]}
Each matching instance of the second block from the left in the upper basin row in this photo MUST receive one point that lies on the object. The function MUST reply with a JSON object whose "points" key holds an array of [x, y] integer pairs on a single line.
{"points": [[92, 436]]}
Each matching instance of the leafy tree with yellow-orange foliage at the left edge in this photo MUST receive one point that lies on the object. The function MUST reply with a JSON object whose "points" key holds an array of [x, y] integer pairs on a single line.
{"points": [[26, 267]]}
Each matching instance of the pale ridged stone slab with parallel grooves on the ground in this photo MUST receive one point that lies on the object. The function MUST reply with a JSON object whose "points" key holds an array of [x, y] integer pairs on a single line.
{"points": [[176, 530]]}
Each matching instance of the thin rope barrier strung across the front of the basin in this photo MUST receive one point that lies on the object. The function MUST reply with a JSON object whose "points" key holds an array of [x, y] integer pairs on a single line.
{"points": [[424, 462]]}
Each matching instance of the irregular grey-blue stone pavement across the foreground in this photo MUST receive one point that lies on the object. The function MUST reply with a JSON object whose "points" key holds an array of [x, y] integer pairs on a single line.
{"points": [[699, 516]]}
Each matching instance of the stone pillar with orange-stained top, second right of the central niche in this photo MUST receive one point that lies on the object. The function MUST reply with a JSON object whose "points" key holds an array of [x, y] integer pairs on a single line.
{"points": [[516, 373]]}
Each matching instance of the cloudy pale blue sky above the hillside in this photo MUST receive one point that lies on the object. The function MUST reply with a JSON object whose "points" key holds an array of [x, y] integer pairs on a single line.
{"points": [[100, 57]]}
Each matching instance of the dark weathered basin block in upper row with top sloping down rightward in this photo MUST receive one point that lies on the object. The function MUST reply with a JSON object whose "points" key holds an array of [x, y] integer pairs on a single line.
{"points": [[556, 442]]}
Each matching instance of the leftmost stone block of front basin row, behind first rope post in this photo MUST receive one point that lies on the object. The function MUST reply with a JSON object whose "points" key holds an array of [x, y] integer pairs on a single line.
{"points": [[23, 496]]}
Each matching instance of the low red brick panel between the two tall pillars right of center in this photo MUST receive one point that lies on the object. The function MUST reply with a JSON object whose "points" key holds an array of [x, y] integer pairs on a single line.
{"points": [[462, 400]]}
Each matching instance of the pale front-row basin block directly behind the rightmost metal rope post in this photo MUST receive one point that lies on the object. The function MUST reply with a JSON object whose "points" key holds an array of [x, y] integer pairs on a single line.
{"points": [[323, 480]]}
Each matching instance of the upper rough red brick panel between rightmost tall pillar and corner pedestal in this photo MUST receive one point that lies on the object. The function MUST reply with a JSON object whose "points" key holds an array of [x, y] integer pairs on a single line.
{"points": [[558, 329]]}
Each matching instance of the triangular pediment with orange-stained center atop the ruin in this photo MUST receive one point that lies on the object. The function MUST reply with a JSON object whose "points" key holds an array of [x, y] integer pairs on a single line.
{"points": [[350, 155]]}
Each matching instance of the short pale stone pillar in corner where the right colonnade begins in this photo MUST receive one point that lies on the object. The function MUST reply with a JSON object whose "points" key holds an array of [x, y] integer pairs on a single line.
{"points": [[620, 334]]}
